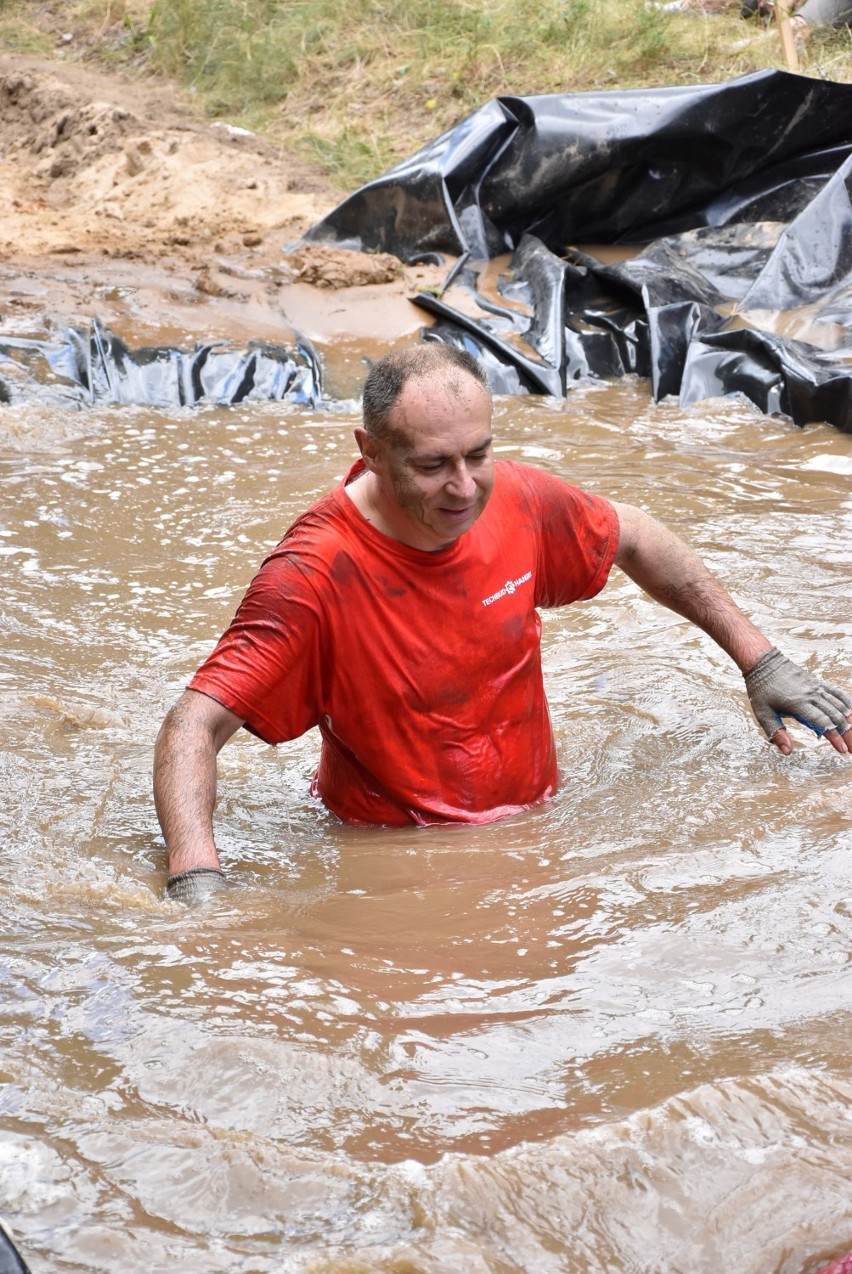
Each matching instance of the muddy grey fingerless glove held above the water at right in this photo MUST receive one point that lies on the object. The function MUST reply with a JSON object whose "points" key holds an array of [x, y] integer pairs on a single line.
{"points": [[780, 689]]}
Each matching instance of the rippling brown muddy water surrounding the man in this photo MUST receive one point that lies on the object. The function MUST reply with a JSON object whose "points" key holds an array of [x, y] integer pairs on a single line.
{"points": [[609, 1035]]}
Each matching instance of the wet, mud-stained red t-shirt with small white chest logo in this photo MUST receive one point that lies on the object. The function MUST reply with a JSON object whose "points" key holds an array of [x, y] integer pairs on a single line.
{"points": [[422, 669]]}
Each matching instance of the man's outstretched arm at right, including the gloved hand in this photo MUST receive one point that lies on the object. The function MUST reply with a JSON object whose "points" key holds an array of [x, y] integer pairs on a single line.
{"points": [[671, 573]]}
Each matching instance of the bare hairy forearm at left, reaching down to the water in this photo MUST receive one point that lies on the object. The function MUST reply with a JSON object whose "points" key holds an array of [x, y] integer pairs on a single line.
{"points": [[185, 789]]}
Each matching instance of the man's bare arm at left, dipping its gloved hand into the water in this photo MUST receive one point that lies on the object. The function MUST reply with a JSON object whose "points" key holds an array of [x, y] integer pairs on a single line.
{"points": [[185, 789]]}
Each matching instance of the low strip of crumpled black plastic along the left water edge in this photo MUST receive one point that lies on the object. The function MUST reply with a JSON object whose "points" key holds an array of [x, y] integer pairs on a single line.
{"points": [[95, 366]]}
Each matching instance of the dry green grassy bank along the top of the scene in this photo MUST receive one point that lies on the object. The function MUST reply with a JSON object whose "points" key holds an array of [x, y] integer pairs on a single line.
{"points": [[361, 85]]}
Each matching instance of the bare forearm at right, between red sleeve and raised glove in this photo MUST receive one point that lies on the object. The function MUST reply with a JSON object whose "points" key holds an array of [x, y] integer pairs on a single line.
{"points": [[671, 573]]}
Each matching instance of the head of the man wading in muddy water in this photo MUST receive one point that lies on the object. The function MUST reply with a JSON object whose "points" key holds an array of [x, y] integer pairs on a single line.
{"points": [[427, 444]]}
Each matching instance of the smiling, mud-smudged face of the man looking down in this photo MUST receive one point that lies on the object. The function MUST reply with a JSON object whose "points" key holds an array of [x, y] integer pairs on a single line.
{"points": [[437, 471]]}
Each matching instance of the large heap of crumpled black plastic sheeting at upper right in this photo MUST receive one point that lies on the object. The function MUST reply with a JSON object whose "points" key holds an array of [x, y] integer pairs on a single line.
{"points": [[741, 194]]}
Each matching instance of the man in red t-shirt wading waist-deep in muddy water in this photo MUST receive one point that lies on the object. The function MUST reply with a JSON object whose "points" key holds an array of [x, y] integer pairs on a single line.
{"points": [[399, 616]]}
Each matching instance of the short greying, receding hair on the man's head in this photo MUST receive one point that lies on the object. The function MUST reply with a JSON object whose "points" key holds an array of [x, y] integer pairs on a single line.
{"points": [[392, 374]]}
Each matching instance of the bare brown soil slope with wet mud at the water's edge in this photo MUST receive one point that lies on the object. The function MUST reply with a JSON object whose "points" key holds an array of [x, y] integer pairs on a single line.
{"points": [[119, 202]]}
